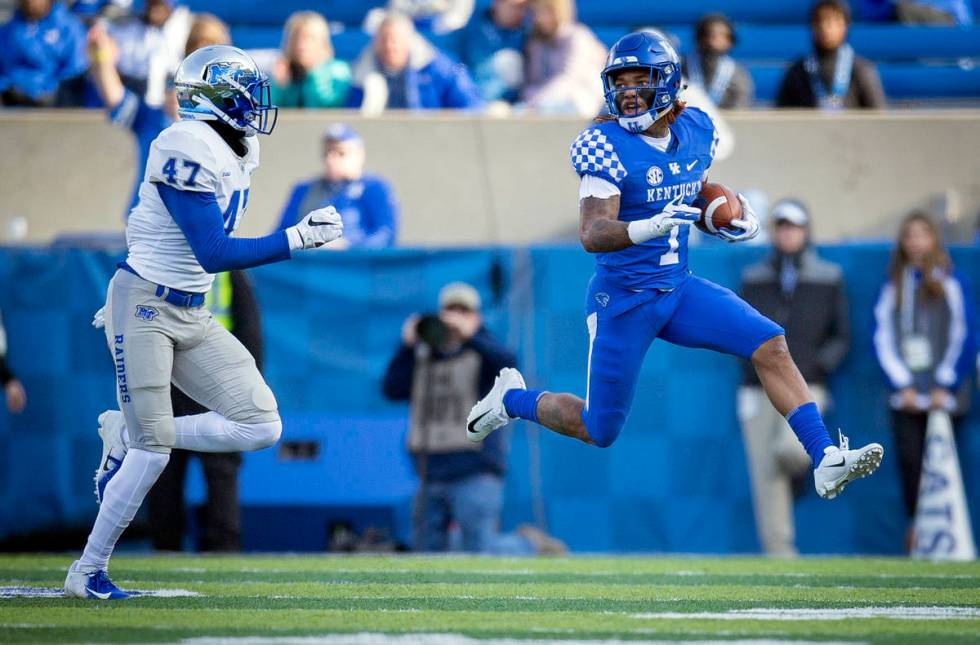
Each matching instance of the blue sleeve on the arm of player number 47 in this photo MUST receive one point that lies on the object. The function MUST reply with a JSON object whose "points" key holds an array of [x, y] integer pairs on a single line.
{"points": [[199, 218]]}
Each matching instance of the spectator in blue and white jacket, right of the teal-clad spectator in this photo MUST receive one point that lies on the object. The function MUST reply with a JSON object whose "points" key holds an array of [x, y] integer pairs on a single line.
{"points": [[402, 70]]}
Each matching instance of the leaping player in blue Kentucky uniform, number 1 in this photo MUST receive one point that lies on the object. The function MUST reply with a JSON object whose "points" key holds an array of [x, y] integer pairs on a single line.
{"points": [[640, 171]]}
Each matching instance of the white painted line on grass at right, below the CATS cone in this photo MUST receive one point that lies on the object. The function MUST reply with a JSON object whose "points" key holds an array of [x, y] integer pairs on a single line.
{"points": [[844, 613]]}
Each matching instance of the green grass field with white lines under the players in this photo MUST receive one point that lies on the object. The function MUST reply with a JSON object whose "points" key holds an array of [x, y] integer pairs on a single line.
{"points": [[593, 599]]}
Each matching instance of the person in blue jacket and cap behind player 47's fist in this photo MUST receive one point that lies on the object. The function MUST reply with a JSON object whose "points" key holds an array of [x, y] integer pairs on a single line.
{"points": [[366, 203]]}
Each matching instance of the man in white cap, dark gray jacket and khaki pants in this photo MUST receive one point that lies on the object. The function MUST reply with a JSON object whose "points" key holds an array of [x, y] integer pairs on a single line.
{"points": [[806, 295]]}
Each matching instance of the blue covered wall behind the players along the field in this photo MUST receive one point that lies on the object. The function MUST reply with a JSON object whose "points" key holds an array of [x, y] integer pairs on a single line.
{"points": [[675, 481]]}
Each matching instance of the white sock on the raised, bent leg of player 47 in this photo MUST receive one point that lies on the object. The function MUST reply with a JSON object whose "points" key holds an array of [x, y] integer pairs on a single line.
{"points": [[211, 432]]}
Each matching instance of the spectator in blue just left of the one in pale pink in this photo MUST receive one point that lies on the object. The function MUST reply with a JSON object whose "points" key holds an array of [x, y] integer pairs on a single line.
{"points": [[493, 47]]}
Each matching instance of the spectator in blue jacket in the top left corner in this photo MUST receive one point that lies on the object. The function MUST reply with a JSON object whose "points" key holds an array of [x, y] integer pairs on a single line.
{"points": [[42, 49]]}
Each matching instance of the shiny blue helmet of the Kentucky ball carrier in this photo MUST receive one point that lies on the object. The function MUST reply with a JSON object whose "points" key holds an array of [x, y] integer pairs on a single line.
{"points": [[652, 52]]}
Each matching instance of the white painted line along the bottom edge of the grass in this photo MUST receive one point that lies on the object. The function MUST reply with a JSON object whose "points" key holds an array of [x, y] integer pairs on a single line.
{"points": [[457, 639]]}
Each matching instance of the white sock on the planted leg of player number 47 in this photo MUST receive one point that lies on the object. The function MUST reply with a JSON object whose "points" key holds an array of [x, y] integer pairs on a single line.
{"points": [[122, 498]]}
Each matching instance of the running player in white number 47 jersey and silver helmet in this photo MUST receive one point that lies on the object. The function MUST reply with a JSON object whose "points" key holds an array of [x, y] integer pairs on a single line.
{"points": [[192, 198]]}
